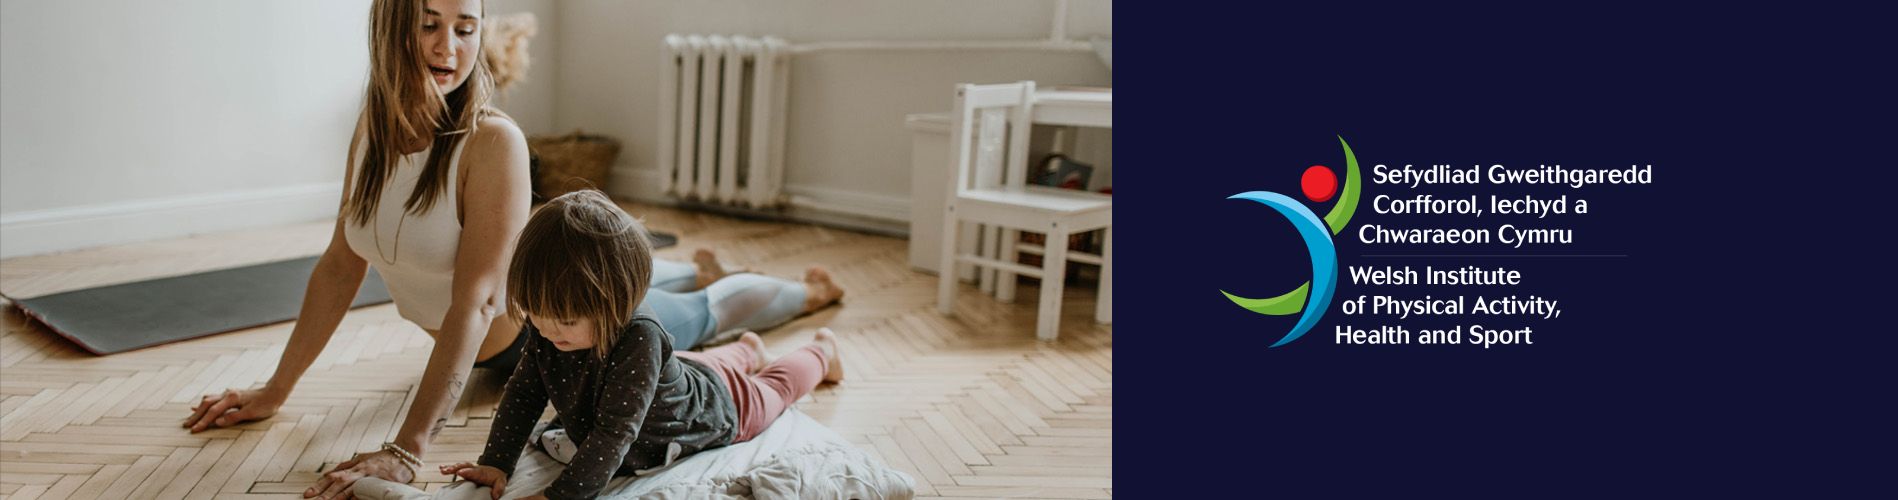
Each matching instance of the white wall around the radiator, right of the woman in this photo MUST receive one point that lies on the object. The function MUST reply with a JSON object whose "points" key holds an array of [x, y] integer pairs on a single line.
{"points": [[847, 140]]}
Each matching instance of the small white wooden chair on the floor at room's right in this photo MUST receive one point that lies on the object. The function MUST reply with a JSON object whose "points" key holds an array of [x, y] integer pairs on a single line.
{"points": [[988, 195]]}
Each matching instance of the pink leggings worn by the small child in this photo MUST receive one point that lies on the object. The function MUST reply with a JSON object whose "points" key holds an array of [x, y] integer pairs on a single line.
{"points": [[766, 394]]}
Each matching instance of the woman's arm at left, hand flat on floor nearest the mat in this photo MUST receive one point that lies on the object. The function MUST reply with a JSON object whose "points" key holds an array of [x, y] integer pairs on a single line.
{"points": [[333, 286]]}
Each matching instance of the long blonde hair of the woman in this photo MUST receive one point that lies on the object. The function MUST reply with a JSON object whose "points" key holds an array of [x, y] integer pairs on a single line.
{"points": [[401, 106]]}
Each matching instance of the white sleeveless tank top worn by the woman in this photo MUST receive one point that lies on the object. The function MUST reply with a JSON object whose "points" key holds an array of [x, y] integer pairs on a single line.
{"points": [[415, 254]]}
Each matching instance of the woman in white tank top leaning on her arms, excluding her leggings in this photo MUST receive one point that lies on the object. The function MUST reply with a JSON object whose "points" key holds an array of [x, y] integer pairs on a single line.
{"points": [[436, 195]]}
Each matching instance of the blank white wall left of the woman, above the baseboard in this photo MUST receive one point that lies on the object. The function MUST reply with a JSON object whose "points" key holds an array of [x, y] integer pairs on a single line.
{"points": [[136, 121]]}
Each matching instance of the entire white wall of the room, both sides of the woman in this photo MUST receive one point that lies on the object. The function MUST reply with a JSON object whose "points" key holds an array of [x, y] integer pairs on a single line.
{"points": [[143, 121]]}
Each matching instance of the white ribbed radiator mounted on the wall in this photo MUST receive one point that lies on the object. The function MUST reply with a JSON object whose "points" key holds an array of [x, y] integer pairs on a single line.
{"points": [[722, 119]]}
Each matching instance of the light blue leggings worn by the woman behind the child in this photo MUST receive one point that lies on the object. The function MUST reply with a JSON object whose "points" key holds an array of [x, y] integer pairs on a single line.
{"points": [[734, 303]]}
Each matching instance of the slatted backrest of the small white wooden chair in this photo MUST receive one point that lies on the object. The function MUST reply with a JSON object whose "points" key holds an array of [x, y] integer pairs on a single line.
{"points": [[990, 136]]}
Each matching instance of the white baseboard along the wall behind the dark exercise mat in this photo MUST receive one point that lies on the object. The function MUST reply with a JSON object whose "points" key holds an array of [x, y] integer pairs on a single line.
{"points": [[48, 231]]}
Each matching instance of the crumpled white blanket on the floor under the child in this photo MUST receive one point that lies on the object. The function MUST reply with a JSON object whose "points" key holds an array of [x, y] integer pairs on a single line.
{"points": [[792, 459]]}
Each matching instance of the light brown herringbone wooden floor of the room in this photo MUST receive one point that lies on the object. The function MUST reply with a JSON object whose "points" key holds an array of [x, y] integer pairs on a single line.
{"points": [[971, 406]]}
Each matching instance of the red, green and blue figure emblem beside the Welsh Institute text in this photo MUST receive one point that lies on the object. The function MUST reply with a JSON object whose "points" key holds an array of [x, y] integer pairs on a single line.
{"points": [[1314, 298]]}
